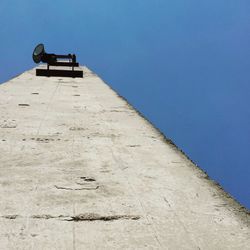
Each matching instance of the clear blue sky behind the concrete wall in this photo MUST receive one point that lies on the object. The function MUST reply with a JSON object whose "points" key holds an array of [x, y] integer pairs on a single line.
{"points": [[184, 64]]}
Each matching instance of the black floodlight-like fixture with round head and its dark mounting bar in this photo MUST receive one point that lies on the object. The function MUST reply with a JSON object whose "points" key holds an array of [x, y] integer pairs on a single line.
{"points": [[40, 55]]}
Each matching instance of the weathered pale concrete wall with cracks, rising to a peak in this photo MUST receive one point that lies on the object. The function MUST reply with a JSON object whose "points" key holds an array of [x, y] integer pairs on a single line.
{"points": [[80, 169]]}
